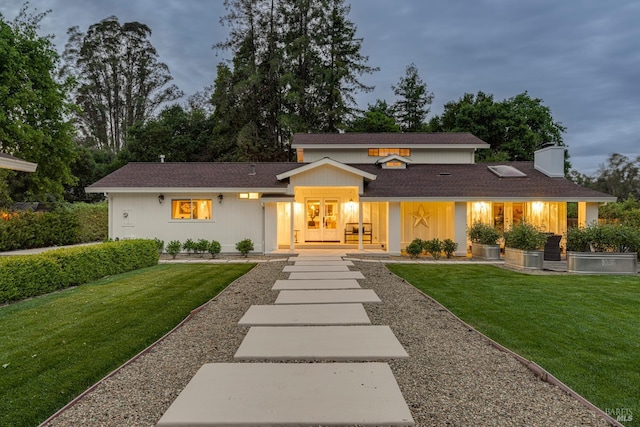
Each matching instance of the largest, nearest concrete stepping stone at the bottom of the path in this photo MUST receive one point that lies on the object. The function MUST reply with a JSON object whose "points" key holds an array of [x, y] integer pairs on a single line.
{"points": [[290, 394]]}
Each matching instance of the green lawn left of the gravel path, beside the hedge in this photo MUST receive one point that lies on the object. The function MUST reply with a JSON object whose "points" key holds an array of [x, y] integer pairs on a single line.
{"points": [[56, 346]]}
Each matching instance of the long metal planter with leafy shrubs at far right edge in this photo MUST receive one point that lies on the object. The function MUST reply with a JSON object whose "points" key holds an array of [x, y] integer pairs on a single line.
{"points": [[603, 249]]}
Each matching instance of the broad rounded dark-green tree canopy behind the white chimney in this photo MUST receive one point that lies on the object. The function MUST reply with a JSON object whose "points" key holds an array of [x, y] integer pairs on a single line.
{"points": [[515, 127]]}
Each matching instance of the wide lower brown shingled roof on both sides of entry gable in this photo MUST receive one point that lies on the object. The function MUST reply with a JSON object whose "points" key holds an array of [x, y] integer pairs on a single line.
{"points": [[417, 181]]}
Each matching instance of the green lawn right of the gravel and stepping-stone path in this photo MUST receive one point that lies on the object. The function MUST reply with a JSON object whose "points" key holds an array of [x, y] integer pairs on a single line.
{"points": [[584, 330]]}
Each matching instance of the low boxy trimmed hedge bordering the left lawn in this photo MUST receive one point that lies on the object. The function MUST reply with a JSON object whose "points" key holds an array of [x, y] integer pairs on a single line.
{"points": [[28, 276]]}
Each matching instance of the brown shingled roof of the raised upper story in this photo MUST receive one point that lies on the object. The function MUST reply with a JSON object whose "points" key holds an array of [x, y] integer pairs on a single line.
{"points": [[387, 139]]}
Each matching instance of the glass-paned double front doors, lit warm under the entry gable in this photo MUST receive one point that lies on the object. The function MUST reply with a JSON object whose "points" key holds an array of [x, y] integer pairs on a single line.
{"points": [[322, 219]]}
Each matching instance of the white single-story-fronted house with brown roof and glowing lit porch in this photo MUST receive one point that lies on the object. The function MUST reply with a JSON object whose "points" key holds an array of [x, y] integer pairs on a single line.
{"points": [[349, 190]]}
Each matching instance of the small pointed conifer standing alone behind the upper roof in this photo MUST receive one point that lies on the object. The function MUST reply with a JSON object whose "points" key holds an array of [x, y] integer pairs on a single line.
{"points": [[412, 107]]}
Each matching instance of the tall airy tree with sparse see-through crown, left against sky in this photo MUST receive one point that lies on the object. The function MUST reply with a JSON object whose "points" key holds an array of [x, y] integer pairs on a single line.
{"points": [[120, 80]]}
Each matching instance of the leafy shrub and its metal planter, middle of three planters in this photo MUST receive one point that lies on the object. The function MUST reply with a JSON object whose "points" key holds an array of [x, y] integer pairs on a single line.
{"points": [[523, 246]]}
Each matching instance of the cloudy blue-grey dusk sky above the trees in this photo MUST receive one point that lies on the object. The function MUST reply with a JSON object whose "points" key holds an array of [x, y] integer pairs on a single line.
{"points": [[582, 58]]}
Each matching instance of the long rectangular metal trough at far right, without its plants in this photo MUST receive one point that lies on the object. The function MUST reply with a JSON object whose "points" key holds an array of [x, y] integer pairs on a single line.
{"points": [[602, 262]]}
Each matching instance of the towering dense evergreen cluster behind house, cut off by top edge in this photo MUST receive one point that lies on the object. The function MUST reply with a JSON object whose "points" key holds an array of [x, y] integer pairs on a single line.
{"points": [[296, 66]]}
